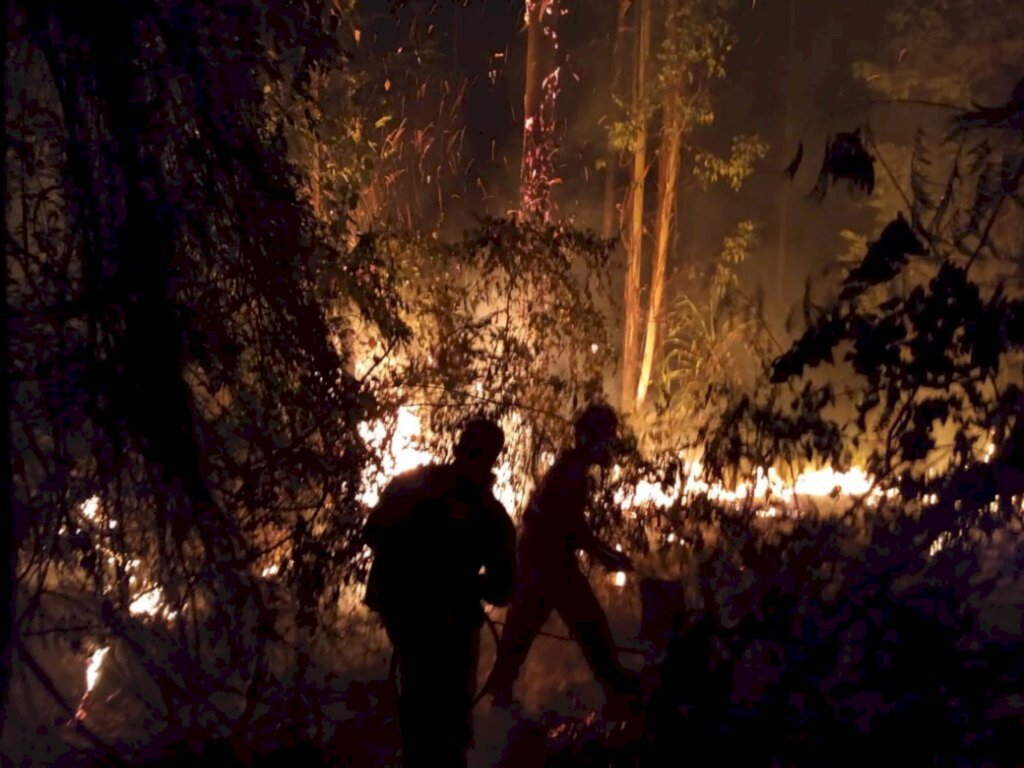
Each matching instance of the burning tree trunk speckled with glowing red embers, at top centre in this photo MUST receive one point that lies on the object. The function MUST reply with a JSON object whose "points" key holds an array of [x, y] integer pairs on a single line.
{"points": [[541, 94]]}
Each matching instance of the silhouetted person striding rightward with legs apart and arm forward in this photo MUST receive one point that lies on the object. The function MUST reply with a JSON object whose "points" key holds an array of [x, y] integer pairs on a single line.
{"points": [[554, 530]]}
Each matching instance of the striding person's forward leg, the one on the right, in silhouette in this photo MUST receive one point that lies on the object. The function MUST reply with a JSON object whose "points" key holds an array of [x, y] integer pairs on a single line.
{"points": [[578, 606]]}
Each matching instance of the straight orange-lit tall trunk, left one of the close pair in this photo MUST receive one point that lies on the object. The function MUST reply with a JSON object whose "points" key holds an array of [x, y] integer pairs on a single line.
{"points": [[632, 307]]}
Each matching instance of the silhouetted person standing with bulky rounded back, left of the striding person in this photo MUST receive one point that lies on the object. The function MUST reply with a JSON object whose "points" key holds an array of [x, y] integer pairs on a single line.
{"points": [[442, 544]]}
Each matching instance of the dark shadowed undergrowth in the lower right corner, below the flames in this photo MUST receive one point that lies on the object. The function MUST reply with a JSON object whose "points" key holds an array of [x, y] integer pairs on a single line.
{"points": [[813, 657]]}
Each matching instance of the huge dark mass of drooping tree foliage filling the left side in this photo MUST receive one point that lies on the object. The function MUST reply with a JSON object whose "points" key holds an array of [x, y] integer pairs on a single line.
{"points": [[173, 359]]}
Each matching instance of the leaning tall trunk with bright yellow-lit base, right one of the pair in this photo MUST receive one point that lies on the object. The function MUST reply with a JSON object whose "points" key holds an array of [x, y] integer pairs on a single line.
{"points": [[668, 176]]}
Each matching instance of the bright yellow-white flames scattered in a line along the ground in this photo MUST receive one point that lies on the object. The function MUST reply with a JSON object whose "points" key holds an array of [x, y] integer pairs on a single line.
{"points": [[403, 449]]}
